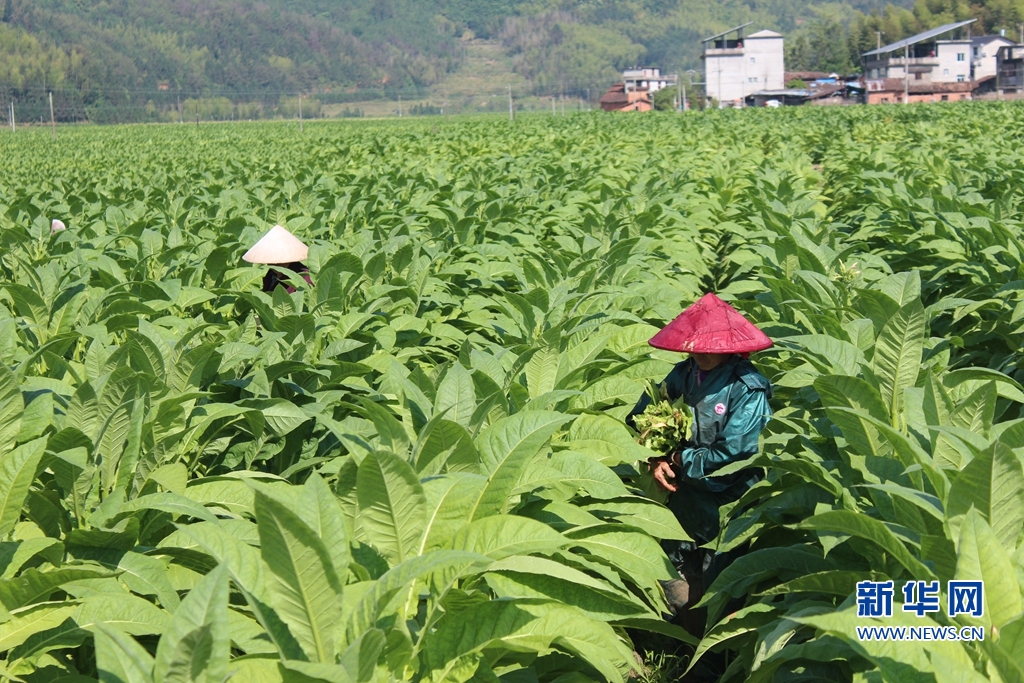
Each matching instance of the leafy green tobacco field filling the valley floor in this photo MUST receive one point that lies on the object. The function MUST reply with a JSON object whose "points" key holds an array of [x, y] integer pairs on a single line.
{"points": [[417, 469]]}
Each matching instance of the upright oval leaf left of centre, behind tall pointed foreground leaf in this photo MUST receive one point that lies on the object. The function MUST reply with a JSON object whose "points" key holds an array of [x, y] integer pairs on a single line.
{"points": [[393, 506]]}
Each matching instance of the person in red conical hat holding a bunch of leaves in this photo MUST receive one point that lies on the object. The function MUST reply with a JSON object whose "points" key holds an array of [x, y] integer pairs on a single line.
{"points": [[730, 402]]}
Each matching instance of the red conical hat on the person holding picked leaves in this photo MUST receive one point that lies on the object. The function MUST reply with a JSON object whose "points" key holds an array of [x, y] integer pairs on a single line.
{"points": [[711, 326]]}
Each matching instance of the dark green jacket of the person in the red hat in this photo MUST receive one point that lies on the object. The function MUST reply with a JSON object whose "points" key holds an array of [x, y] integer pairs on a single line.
{"points": [[731, 408]]}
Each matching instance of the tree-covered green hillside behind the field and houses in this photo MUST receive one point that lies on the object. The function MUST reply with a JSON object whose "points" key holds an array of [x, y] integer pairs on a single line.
{"points": [[149, 55]]}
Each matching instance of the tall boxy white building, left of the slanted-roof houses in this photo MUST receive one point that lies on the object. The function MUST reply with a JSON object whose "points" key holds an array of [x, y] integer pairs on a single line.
{"points": [[736, 68]]}
